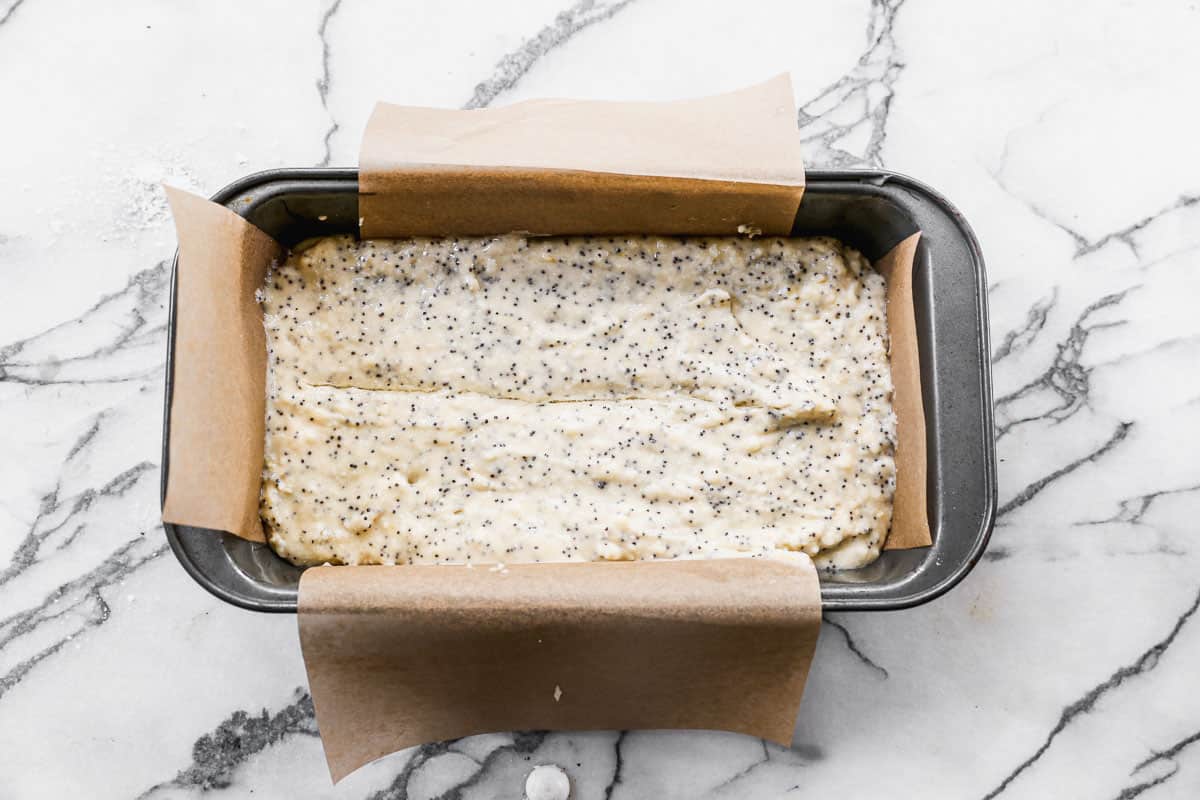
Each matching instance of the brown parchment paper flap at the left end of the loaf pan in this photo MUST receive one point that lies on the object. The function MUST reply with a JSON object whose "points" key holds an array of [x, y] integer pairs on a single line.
{"points": [[218, 408]]}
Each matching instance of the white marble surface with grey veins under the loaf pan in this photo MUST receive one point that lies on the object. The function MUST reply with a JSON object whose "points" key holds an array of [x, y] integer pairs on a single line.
{"points": [[1066, 666]]}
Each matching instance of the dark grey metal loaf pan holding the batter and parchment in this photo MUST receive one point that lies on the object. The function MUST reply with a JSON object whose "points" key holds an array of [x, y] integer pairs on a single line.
{"points": [[868, 209]]}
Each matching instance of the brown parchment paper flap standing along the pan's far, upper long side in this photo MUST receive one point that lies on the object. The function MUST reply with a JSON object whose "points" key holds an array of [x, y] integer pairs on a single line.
{"points": [[563, 167]]}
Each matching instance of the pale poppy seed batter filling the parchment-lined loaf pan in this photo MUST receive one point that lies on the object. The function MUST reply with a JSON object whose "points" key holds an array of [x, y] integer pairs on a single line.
{"points": [[511, 400]]}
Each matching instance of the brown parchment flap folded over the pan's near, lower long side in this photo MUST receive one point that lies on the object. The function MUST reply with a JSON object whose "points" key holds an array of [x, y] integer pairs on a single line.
{"points": [[399, 657]]}
